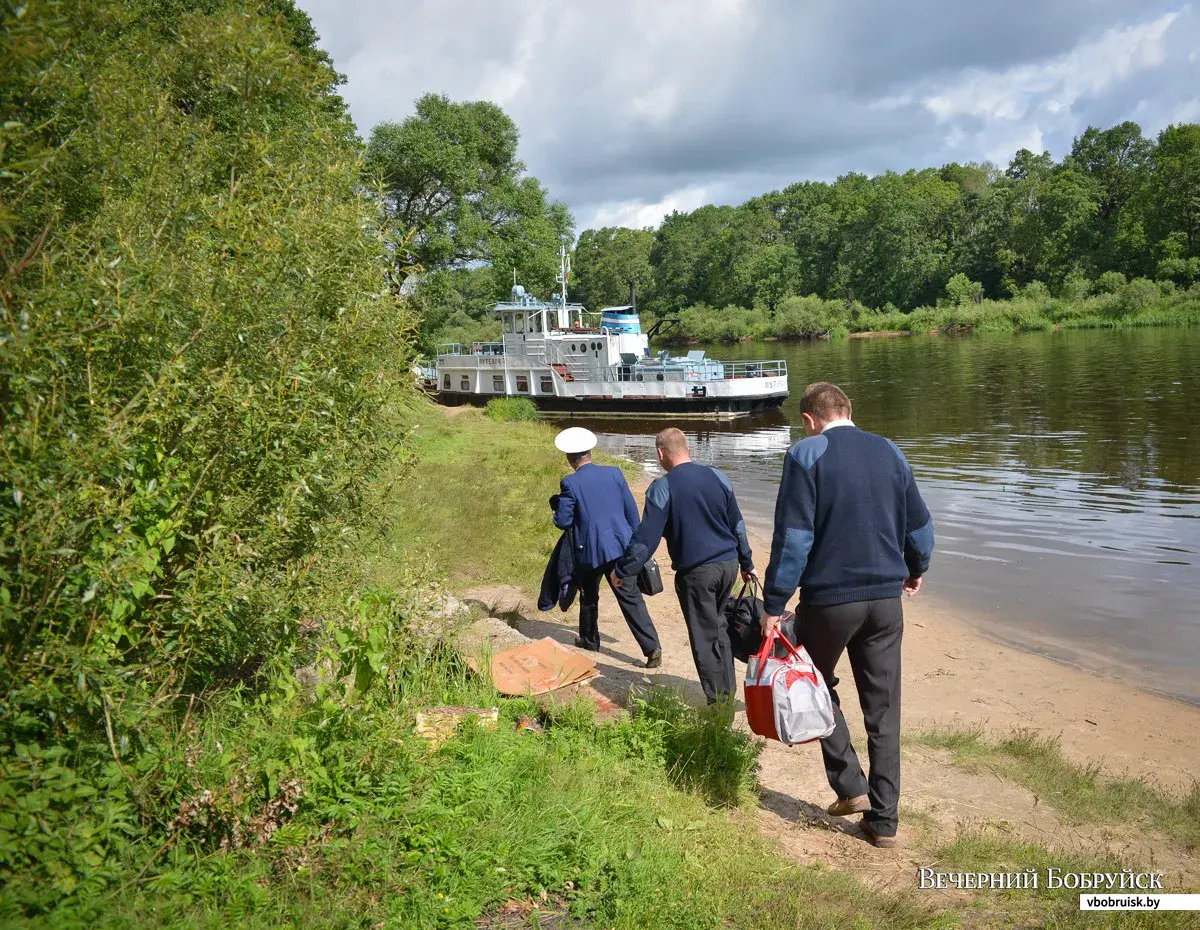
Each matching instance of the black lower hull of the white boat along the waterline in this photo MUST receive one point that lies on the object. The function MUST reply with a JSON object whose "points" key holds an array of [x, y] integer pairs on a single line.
{"points": [[711, 407]]}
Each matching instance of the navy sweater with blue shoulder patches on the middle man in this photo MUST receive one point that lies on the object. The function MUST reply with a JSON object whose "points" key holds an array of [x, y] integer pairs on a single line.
{"points": [[694, 506]]}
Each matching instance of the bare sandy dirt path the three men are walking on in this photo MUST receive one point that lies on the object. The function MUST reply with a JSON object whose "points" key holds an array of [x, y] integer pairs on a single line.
{"points": [[953, 676]]}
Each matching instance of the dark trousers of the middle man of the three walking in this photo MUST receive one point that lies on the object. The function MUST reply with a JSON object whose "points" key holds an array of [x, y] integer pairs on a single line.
{"points": [[703, 593]]}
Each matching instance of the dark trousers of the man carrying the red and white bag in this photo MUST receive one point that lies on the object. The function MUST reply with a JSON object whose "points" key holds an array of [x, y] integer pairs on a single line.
{"points": [[871, 633]]}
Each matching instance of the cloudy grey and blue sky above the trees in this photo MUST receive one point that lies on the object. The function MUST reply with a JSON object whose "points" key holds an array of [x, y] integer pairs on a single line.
{"points": [[632, 109]]}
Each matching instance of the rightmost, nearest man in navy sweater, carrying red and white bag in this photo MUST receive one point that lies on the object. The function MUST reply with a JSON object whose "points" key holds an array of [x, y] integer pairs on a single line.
{"points": [[853, 533]]}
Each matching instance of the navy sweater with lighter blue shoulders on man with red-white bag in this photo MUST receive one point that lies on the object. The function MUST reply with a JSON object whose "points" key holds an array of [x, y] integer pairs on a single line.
{"points": [[850, 523]]}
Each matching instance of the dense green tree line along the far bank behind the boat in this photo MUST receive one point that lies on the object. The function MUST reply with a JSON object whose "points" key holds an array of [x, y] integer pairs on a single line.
{"points": [[1108, 236]]}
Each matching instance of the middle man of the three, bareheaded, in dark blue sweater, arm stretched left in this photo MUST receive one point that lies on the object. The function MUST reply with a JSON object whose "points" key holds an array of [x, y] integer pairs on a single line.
{"points": [[694, 506]]}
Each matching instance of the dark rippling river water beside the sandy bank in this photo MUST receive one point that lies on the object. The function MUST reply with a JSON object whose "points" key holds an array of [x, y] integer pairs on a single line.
{"points": [[1060, 469]]}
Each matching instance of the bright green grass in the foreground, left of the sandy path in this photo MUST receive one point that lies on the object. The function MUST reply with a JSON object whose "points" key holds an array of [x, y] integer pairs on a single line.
{"points": [[584, 817]]}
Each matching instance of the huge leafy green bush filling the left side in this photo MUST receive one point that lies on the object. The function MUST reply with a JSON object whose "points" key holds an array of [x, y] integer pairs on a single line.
{"points": [[197, 361]]}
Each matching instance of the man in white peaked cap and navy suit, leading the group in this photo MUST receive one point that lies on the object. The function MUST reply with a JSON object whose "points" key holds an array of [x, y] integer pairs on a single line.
{"points": [[597, 503]]}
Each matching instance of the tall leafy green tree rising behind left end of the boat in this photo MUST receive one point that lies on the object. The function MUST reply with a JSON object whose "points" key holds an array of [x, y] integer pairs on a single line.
{"points": [[459, 195]]}
